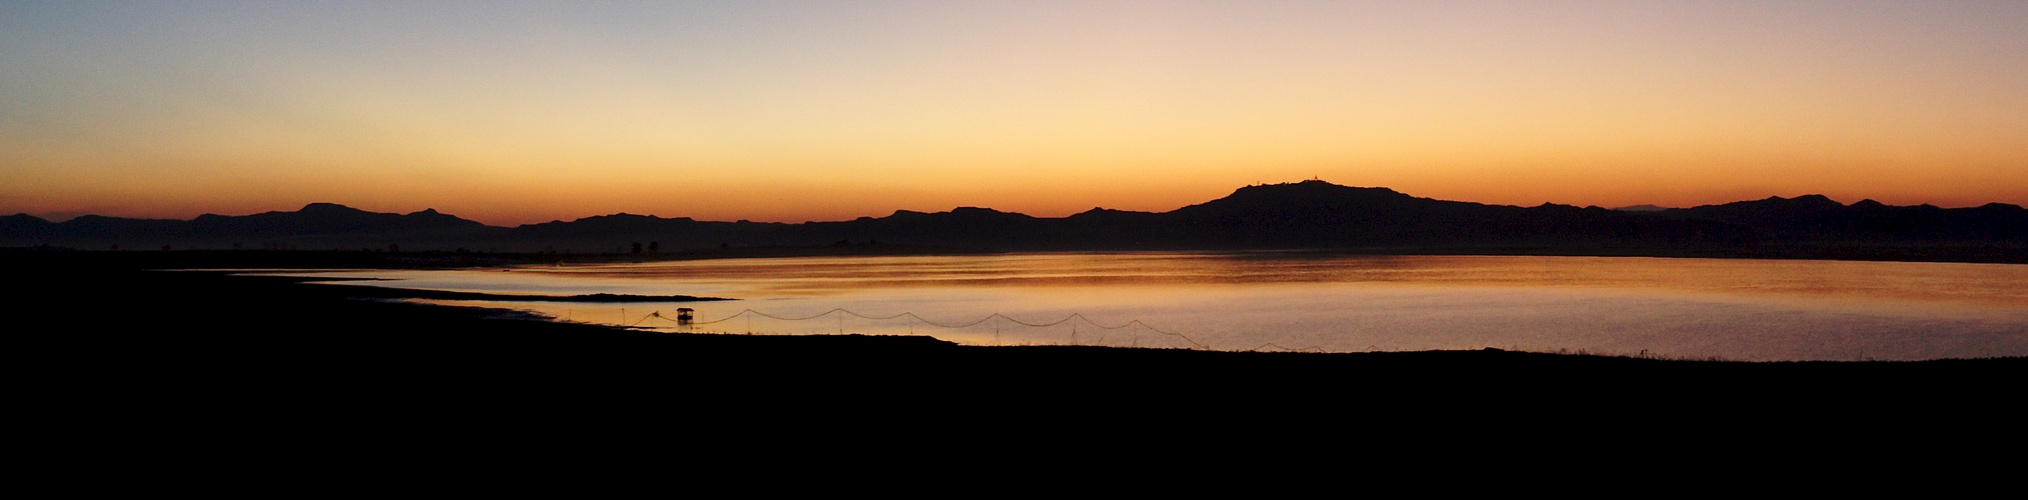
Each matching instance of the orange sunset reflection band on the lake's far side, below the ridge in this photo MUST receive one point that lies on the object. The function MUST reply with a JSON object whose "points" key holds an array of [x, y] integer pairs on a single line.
{"points": [[1978, 284]]}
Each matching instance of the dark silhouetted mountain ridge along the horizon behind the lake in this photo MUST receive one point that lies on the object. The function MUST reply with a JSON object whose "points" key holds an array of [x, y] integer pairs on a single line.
{"points": [[1299, 216]]}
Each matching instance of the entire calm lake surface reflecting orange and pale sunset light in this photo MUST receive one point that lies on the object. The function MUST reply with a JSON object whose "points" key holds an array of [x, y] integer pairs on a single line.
{"points": [[1684, 309]]}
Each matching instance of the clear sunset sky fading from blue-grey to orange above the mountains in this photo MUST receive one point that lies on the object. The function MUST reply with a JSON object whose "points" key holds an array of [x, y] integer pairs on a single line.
{"points": [[528, 112]]}
